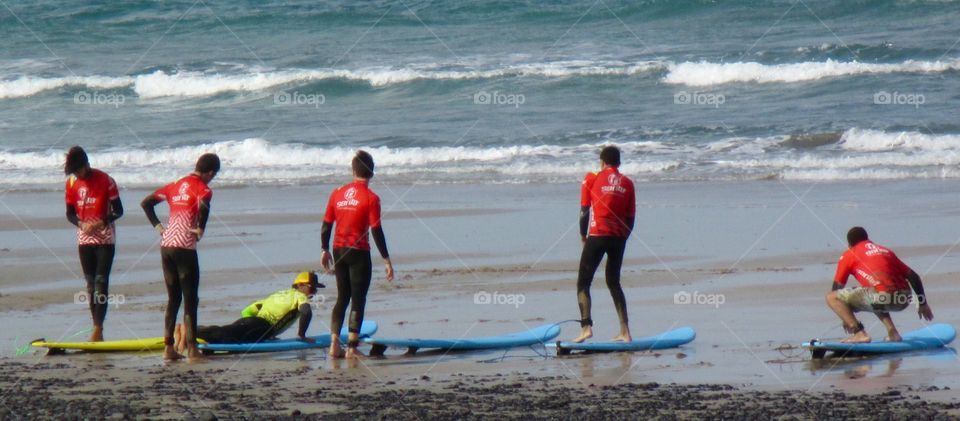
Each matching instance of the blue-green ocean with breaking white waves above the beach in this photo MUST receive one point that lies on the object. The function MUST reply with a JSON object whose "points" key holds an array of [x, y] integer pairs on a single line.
{"points": [[482, 91]]}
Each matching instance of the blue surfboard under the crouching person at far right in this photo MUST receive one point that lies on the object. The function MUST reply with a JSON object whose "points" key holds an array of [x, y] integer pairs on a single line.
{"points": [[929, 337]]}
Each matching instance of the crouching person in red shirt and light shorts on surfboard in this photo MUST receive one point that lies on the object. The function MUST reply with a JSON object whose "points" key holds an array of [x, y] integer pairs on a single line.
{"points": [[886, 282]]}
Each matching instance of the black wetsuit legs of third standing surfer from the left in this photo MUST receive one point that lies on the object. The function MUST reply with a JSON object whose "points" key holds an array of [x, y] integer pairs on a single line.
{"points": [[354, 271]]}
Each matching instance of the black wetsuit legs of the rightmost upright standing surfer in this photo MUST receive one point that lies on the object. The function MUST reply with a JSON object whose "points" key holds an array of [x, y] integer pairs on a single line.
{"points": [[593, 251]]}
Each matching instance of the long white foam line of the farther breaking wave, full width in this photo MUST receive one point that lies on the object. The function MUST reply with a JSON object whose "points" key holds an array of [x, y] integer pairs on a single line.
{"points": [[201, 84]]}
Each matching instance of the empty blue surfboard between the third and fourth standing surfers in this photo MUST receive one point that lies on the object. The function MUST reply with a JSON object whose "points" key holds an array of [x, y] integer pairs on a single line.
{"points": [[538, 335]]}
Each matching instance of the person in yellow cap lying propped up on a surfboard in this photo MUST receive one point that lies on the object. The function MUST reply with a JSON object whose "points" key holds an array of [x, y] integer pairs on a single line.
{"points": [[264, 319]]}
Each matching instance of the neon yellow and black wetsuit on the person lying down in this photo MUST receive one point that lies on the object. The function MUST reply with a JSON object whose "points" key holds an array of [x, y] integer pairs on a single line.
{"points": [[263, 319]]}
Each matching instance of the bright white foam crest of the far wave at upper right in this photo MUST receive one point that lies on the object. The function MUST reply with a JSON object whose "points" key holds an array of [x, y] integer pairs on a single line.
{"points": [[710, 74]]}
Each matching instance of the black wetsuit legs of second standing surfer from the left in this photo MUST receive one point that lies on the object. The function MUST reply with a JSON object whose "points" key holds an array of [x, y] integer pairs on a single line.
{"points": [[181, 273]]}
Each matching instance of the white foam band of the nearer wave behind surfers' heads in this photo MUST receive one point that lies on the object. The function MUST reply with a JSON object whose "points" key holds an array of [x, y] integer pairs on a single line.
{"points": [[859, 154]]}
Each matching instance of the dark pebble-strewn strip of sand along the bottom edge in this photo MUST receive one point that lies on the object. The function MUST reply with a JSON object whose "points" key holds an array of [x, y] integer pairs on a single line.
{"points": [[296, 390]]}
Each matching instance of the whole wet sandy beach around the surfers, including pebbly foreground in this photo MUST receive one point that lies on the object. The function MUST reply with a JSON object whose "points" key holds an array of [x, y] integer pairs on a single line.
{"points": [[768, 249]]}
